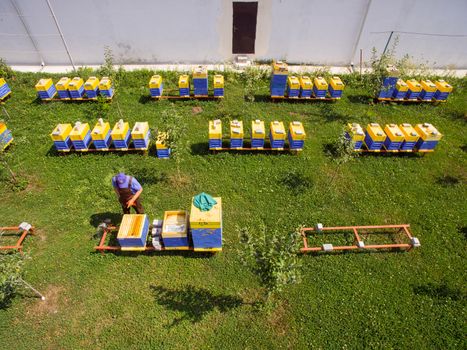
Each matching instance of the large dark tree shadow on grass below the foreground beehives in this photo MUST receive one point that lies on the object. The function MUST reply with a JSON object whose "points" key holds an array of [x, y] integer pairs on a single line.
{"points": [[194, 303]]}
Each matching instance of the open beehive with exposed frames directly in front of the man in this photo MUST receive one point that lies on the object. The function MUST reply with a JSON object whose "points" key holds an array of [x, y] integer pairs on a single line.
{"points": [[133, 231]]}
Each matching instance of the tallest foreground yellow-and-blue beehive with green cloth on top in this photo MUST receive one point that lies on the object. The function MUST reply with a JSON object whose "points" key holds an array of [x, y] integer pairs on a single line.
{"points": [[206, 227]]}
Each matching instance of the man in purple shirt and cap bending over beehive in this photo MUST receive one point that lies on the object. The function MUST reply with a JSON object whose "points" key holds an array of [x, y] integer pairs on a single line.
{"points": [[128, 191]]}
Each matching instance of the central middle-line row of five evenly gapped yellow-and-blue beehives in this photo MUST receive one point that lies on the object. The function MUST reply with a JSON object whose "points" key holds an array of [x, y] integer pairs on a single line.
{"points": [[277, 135]]}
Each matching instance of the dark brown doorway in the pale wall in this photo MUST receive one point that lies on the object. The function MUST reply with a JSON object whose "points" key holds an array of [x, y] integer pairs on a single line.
{"points": [[244, 27]]}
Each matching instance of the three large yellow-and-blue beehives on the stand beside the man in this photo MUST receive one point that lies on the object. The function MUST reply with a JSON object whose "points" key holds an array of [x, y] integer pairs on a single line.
{"points": [[202, 231]]}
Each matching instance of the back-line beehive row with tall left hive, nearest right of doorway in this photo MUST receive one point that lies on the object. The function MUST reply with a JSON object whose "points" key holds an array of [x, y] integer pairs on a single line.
{"points": [[283, 85]]}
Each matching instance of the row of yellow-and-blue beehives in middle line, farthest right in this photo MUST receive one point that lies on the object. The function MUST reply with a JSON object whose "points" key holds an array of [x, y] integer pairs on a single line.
{"points": [[394, 138]]}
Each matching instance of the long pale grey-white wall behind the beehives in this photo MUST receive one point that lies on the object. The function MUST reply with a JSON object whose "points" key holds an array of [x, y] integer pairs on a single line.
{"points": [[200, 31]]}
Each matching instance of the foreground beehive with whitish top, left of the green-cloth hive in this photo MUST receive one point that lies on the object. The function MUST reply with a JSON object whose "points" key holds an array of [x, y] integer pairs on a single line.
{"points": [[175, 230]]}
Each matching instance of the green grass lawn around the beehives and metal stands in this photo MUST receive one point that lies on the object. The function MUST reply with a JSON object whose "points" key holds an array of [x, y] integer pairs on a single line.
{"points": [[185, 300]]}
